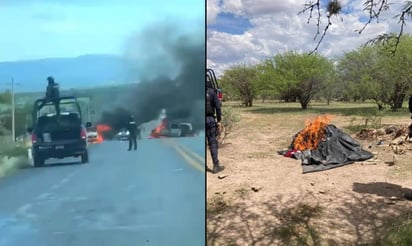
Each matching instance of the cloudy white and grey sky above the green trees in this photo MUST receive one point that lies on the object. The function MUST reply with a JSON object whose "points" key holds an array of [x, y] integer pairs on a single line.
{"points": [[277, 27]]}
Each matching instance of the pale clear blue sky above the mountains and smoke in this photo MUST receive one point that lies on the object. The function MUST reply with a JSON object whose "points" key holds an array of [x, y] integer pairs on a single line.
{"points": [[32, 29]]}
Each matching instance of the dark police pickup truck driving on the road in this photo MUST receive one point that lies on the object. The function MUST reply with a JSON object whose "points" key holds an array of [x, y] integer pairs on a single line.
{"points": [[58, 136]]}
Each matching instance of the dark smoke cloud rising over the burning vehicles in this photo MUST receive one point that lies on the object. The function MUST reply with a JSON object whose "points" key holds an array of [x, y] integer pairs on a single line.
{"points": [[169, 66]]}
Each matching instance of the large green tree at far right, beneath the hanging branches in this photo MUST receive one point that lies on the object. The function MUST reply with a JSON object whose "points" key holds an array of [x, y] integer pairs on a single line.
{"points": [[374, 72]]}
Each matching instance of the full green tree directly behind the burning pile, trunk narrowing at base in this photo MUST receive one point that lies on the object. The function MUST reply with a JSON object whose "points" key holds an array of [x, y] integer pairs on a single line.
{"points": [[302, 75]]}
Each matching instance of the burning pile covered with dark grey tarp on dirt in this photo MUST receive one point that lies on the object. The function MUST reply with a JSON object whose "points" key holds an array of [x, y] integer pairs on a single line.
{"points": [[323, 146]]}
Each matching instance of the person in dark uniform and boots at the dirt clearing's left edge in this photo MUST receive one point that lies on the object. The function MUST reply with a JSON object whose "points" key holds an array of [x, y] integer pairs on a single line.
{"points": [[212, 107]]}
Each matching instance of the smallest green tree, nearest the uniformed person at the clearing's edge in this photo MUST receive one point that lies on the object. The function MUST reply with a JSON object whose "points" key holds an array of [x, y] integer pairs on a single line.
{"points": [[241, 80]]}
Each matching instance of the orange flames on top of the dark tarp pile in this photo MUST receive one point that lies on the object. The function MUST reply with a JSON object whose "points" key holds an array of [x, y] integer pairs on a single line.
{"points": [[314, 131]]}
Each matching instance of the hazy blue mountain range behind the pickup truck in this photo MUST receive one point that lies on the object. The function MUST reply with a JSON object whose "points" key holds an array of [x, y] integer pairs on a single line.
{"points": [[80, 72]]}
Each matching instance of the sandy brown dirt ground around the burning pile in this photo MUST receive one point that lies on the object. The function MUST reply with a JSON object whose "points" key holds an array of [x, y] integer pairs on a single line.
{"points": [[262, 198]]}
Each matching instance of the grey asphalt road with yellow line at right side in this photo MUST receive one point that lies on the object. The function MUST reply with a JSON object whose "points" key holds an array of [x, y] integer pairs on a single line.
{"points": [[152, 196]]}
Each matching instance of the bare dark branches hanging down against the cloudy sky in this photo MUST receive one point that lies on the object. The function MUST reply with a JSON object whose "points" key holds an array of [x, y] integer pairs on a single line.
{"points": [[374, 8]]}
